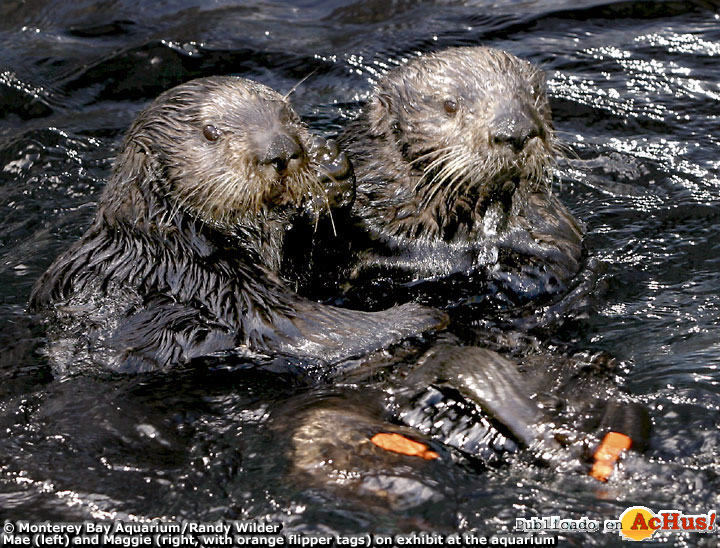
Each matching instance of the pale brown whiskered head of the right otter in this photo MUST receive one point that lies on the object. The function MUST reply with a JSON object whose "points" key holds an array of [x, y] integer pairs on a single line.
{"points": [[469, 134]]}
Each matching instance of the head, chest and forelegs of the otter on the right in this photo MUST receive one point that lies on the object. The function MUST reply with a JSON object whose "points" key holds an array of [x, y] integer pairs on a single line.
{"points": [[453, 156]]}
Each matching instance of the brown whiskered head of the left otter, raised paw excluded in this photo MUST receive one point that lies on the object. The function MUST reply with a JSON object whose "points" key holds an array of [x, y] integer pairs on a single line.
{"points": [[224, 150]]}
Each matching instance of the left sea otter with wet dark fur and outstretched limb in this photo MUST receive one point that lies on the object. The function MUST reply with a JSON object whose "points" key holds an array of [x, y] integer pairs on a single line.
{"points": [[183, 256]]}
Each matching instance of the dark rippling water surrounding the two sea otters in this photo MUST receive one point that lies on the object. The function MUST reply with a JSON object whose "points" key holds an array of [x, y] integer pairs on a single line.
{"points": [[635, 90]]}
